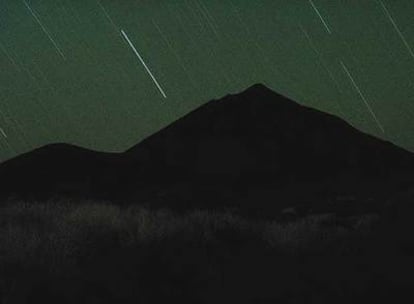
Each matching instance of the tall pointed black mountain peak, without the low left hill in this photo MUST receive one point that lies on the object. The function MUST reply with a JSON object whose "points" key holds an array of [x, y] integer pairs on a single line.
{"points": [[260, 149]]}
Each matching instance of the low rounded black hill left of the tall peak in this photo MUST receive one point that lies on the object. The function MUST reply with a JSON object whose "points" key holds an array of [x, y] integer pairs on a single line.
{"points": [[58, 169]]}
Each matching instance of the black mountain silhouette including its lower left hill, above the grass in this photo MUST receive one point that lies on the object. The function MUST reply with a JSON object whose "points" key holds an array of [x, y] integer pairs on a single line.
{"points": [[256, 151]]}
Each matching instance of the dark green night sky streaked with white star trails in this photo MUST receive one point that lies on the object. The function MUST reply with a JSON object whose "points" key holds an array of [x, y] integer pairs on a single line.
{"points": [[105, 74]]}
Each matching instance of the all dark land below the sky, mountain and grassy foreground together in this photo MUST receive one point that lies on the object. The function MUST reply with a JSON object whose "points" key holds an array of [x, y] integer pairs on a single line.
{"points": [[252, 198]]}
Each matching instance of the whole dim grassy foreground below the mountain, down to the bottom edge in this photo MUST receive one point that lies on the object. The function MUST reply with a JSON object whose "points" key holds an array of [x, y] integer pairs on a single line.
{"points": [[96, 252]]}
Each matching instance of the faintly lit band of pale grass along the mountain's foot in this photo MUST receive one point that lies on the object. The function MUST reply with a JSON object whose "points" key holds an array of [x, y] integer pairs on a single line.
{"points": [[64, 231]]}
